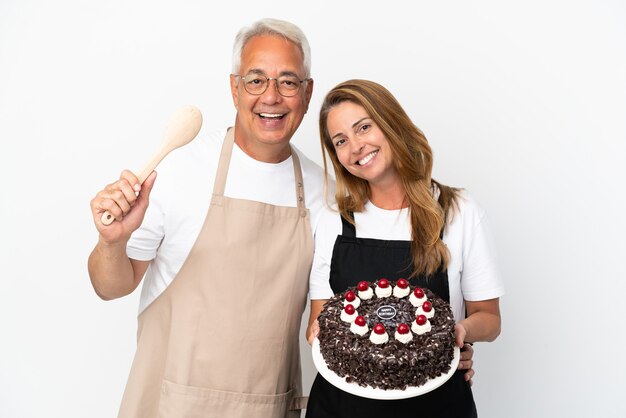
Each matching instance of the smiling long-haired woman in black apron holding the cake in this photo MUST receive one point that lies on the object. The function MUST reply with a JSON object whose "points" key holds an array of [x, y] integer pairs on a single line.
{"points": [[439, 235]]}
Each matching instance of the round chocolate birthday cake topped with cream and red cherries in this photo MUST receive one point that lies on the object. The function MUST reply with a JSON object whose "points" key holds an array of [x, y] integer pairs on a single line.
{"points": [[387, 336]]}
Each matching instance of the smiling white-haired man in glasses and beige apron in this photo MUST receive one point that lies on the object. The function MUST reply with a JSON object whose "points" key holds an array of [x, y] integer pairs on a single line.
{"points": [[226, 248]]}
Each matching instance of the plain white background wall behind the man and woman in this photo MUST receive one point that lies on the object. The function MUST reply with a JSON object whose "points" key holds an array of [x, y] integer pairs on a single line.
{"points": [[524, 104]]}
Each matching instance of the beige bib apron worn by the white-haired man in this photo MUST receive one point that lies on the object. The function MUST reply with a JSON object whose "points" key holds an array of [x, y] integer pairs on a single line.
{"points": [[223, 339]]}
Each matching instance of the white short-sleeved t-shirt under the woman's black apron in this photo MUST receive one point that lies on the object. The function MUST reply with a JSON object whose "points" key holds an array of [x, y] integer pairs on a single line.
{"points": [[472, 271]]}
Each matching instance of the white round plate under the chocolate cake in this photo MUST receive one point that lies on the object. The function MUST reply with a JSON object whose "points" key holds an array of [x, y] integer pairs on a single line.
{"points": [[377, 393]]}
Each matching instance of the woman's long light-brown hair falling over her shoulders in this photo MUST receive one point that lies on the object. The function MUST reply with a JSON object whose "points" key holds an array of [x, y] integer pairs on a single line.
{"points": [[413, 160]]}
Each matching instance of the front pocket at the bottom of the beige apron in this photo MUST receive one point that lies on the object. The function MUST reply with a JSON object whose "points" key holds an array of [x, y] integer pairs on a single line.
{"points": [[180, 401]]}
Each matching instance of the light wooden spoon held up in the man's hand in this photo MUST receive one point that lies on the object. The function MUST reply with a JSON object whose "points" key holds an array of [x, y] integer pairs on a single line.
{"points": [[181, 128]]}
